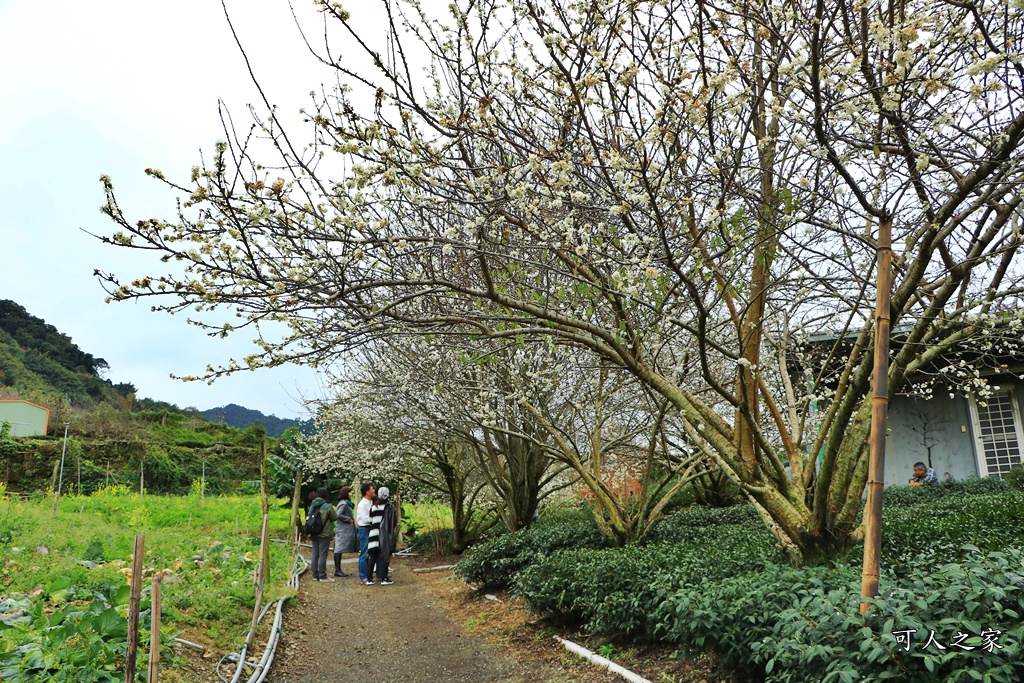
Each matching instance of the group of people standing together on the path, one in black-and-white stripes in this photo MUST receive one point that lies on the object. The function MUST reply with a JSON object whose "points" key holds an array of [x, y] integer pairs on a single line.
{"points": [[370, 528]]}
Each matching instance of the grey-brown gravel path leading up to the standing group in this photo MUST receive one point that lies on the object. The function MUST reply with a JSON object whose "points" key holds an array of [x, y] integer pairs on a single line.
{"points": [[344, 632]]}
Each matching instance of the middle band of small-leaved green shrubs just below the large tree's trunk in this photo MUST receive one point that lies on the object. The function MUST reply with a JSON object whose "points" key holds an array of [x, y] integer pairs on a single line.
{"points": [[619, 590]]}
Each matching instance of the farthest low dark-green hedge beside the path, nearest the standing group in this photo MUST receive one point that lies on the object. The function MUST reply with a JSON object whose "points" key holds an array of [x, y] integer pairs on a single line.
{"points": [[495, 564]]}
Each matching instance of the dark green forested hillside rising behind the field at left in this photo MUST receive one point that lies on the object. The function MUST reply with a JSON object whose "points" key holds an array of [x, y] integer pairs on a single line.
{"points": [[114, 438]]}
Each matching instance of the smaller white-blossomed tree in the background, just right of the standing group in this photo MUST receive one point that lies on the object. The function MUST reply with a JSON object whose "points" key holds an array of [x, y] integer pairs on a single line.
{"points": [[433, 404]]}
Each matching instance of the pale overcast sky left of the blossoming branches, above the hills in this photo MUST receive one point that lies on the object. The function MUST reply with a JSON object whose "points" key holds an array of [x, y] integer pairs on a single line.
{"points": [[114, 88]]}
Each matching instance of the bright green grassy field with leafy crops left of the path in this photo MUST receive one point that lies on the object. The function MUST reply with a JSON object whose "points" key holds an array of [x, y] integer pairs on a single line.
{"points": [[64, 583]]}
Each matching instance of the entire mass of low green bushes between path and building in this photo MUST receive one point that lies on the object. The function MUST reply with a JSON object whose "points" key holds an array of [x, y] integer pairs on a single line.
{"points": [[714, 579]]}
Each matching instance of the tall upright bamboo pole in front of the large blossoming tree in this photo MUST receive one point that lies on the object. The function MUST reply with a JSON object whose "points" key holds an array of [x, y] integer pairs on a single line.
{"points": [[880, 414]]}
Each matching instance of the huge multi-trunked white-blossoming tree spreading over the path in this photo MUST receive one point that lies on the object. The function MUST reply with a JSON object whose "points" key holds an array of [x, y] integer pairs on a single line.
{"points": [[635, 180]]}
